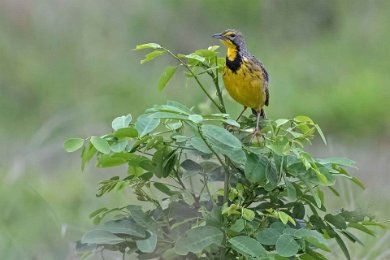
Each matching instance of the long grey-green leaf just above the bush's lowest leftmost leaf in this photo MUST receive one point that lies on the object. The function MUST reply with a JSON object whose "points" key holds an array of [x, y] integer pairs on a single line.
{"points": [[124, 226]]}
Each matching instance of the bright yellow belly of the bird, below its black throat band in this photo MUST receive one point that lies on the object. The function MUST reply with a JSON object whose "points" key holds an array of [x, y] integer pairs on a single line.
{"points": [[247, 89]]}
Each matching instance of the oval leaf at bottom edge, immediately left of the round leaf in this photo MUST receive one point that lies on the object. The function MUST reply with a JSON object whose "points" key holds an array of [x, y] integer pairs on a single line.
{"points": [[247, 246]]}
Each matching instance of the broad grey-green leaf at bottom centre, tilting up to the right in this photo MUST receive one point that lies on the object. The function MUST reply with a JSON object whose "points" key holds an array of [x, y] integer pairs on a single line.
{"points": [[197, 239]]}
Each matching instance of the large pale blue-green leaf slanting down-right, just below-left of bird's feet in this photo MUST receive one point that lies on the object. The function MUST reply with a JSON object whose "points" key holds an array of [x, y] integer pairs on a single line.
{"points": [[224, 142]]}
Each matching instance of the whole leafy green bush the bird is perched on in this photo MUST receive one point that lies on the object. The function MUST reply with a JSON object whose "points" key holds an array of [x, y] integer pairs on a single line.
{"points": [[271, 203]]}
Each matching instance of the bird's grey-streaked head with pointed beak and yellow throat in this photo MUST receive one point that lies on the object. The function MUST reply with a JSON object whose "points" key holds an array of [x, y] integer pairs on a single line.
{"points": [[233, 40]]}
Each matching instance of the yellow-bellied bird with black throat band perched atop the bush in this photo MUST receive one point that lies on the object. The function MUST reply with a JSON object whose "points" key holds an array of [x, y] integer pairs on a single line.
{"points": [[244, 76]]}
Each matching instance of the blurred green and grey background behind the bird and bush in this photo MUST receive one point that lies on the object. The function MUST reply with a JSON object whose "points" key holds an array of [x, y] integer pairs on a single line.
{"points": [[67, 69]]}
